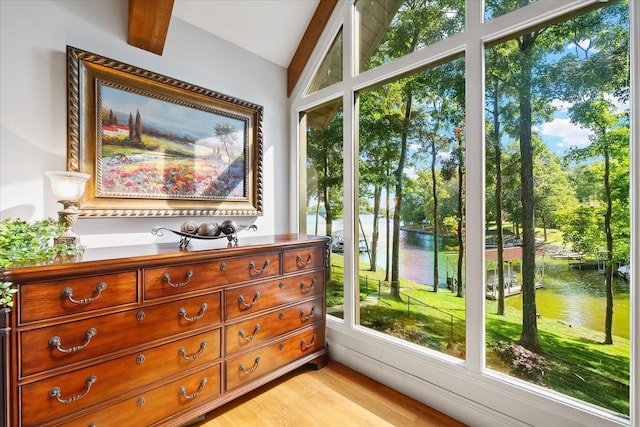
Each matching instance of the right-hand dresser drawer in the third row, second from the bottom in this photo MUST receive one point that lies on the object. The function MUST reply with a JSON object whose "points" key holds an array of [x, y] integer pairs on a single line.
{"points": [[249, 333]]}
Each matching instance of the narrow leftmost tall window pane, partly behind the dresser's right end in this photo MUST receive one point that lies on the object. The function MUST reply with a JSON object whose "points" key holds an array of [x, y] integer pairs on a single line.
{"points": [[323, 210]]}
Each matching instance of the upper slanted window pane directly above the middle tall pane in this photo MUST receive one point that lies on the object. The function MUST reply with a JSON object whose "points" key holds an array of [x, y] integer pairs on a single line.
{"points": [[390, 29]]}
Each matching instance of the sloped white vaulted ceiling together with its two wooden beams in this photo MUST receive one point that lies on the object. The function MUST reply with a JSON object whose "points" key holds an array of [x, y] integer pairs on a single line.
{"points": [[282, 31]]}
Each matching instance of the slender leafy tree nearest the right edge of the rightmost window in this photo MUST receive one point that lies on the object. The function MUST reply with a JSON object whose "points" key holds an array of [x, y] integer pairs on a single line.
{"points": [[595, 76]]}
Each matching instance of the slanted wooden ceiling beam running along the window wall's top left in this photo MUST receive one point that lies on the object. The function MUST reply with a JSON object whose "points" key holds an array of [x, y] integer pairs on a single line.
{"points": [[308, 43]]}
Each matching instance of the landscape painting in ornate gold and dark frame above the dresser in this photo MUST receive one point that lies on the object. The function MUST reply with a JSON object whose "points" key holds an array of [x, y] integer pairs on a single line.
{"points": [[156, 146]]}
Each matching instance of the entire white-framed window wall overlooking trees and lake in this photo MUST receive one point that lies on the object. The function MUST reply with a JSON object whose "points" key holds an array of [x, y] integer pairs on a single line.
{"points": [[485, 188]]}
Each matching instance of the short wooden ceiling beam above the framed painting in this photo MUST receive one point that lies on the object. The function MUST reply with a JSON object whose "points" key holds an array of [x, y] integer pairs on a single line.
{"points": [[149, 24]]}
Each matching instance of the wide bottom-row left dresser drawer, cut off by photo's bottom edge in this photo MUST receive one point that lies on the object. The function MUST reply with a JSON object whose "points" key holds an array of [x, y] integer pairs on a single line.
{"points": [[159, 403]]}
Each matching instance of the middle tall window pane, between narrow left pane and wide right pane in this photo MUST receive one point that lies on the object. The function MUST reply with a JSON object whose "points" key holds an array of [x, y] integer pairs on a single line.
{"points": [[411, 177]]}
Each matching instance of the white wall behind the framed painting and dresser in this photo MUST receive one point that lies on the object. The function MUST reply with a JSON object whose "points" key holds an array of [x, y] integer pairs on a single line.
{"points": [[33, 136]]}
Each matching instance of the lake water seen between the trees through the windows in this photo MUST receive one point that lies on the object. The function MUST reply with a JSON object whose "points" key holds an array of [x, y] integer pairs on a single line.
{"points": [[575, 297]]}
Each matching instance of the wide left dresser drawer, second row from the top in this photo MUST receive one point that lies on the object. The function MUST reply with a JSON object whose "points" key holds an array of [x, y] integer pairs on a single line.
{"points": [[50, 347]]}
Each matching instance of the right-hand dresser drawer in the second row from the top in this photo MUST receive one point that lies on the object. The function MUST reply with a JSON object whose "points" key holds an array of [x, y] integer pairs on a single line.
{"points": [[250, 299]]}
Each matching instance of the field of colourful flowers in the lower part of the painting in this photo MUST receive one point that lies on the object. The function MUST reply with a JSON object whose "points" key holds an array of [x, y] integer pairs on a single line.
{"points": [[160, 168]]}
